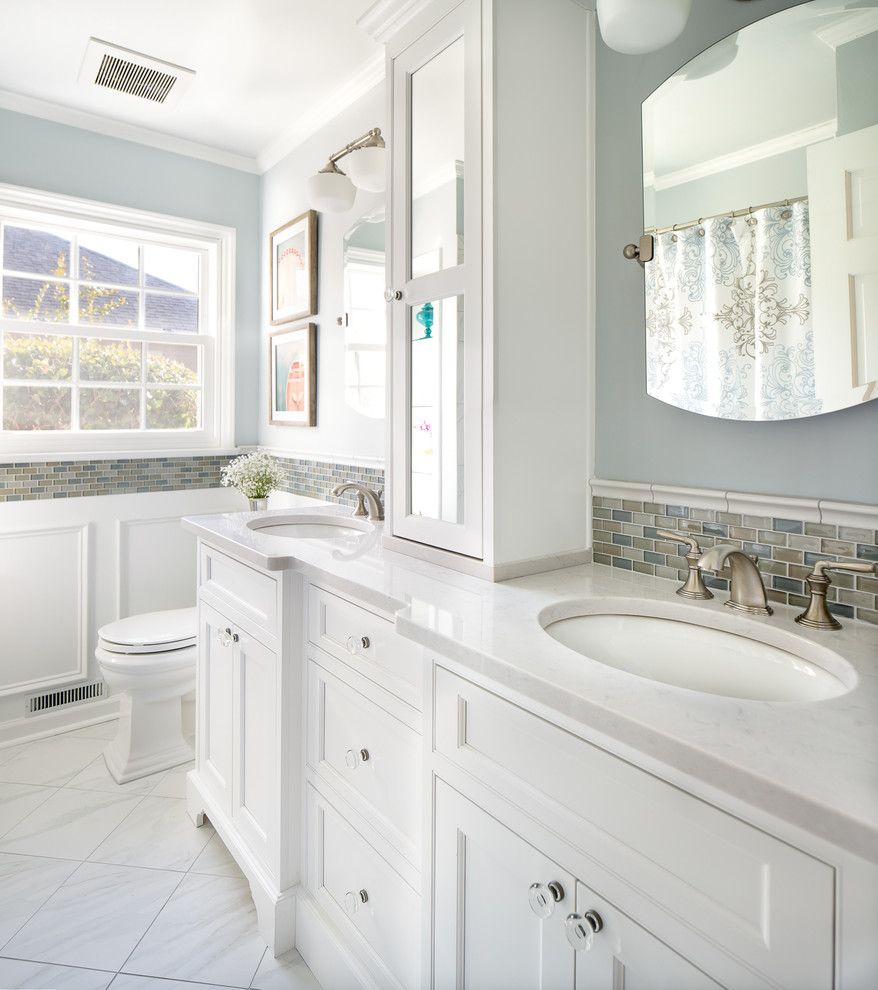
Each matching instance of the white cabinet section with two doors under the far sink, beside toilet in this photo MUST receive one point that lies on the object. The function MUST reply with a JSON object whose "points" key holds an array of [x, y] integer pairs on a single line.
{"points": [[247, 777]]}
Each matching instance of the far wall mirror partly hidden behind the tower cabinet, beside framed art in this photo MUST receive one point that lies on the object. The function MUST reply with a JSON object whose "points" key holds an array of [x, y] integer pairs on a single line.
{"points": [[365, 315]]}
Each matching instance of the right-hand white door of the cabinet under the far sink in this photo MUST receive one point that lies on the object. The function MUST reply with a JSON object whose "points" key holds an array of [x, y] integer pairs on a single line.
{"points": [[256, 780]]}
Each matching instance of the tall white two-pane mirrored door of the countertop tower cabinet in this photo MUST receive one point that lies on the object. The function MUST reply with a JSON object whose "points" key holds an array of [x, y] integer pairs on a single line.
{"points": [[436, 286]]}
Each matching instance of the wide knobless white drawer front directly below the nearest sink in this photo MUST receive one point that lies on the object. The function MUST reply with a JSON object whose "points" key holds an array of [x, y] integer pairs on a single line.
{"points": [[761, 900]]}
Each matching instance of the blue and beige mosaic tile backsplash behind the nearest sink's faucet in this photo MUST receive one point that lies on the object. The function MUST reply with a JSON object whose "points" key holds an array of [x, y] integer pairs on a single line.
{"points": [[625, 537]]}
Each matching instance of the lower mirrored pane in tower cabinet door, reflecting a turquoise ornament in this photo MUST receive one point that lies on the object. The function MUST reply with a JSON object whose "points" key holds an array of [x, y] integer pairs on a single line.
{"points": [[437, 476]]}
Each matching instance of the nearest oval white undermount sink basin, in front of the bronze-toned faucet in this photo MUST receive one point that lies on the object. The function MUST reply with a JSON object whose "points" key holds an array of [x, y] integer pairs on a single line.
{"points": [[703, 658]]}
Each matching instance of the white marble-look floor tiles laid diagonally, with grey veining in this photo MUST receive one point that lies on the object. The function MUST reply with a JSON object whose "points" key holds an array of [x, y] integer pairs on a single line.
{"points": [[103, 885]]}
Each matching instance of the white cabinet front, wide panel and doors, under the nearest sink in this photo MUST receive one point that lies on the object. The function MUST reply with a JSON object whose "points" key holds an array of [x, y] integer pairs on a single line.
{"points": [[672, 876]]}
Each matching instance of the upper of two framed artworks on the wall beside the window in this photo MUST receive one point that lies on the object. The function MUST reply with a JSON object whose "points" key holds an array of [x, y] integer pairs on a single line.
{"points": [[293, 269]]}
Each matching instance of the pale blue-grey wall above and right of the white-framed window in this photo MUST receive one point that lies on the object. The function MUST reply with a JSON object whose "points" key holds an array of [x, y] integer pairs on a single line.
{"points": [[61, 159]]}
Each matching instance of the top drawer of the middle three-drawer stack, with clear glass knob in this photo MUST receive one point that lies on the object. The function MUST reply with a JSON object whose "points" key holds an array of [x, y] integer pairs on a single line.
{"points": [[368, 643]]}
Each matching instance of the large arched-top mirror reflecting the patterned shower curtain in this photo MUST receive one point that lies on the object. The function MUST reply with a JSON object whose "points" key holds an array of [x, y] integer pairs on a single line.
{"points": [[761, 190]]}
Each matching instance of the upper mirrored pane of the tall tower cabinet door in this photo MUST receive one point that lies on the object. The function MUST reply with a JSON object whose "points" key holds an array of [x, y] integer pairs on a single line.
{"points": [[437, 163]]}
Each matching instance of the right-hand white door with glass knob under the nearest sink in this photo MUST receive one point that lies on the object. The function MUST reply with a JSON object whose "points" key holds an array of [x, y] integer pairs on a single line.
{"points": [[625, 956]]}
